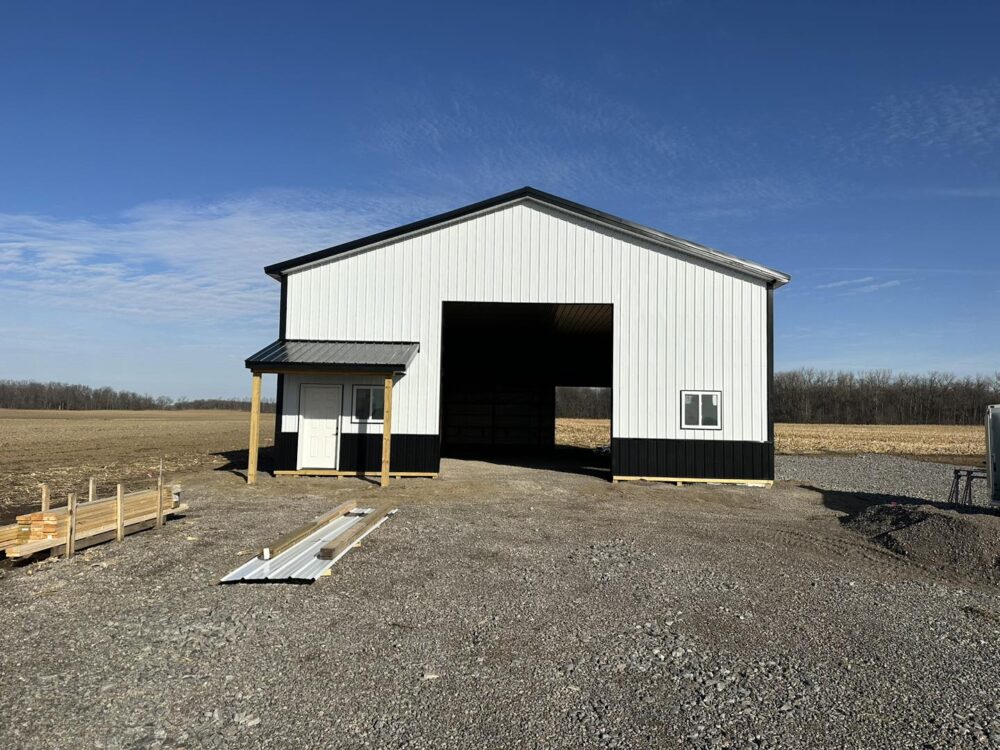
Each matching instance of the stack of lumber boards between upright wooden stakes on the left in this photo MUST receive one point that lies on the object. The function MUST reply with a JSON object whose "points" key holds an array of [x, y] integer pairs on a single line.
{"points": [[96, 521]]}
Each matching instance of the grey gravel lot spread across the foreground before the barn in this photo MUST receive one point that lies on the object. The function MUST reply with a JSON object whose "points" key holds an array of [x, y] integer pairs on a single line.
{"points": [[509, 607]]}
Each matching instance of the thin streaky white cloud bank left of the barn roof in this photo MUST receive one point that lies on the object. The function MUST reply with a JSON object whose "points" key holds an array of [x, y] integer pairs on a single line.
{"points": [[176, 260]]}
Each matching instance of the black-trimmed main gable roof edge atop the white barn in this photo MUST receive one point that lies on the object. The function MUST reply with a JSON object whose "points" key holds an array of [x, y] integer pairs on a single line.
{"points": [[277, 270]]}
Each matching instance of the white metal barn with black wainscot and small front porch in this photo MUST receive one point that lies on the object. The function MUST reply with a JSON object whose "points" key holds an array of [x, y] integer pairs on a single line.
{"points": [[451, 334]]}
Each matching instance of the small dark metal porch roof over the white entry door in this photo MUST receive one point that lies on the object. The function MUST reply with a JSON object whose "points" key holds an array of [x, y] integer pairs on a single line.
{"points": [[334, 356]]}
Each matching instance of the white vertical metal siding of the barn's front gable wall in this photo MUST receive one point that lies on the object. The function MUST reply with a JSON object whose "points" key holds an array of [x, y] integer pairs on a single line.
{"points": [[679, 323]]}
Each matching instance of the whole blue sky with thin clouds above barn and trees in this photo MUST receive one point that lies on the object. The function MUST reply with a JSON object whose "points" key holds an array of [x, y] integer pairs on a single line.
{"points": [[154, 157]]}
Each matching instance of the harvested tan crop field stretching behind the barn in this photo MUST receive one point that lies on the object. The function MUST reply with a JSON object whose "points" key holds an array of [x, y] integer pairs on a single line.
{"points": [[65, 448]]}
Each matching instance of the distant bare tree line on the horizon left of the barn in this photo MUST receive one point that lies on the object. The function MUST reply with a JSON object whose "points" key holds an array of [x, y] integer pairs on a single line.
{"points": [[31, 394]]}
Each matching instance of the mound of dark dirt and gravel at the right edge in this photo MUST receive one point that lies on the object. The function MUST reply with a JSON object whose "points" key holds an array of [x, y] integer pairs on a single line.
{"points": [[962, 544]]}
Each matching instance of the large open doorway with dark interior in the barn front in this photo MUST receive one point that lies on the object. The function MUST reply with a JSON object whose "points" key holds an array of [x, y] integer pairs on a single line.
{"points": [[500, 366]]}
